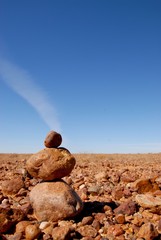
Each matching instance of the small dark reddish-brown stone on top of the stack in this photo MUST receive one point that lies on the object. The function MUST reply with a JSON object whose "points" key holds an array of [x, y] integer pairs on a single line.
{"points": [[53, 140]]}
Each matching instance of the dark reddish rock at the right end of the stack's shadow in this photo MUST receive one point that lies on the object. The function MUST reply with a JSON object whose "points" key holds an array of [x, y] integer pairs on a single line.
{"points": [[127, 208]]}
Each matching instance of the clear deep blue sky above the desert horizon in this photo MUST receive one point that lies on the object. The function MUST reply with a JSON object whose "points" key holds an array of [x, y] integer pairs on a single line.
{"points": [[88, 69]]}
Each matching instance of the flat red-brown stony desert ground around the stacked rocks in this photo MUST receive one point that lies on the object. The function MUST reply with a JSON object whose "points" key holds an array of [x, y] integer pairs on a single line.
{"points": [[121, 195]]}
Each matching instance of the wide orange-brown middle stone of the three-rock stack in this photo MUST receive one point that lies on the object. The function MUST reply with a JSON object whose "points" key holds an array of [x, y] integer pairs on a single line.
{"points": [[51, 163]]}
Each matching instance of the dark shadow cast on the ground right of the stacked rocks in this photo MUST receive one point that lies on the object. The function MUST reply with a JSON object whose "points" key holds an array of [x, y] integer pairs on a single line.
{"points": [[93, 207]]}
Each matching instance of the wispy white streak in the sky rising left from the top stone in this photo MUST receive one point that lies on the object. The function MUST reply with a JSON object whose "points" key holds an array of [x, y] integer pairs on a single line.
{"points": [[23, 84]]}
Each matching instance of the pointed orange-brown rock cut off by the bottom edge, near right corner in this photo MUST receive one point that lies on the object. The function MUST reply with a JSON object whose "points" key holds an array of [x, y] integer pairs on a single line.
{"points": [[148, 231]]}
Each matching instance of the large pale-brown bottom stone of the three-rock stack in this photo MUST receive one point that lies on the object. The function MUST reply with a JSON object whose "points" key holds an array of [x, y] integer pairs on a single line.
{"points": [[53, 201]]}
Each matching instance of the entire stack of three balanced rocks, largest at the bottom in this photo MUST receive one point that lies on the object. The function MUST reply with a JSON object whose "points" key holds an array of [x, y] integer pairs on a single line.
{"points": [[53, 199]]}
